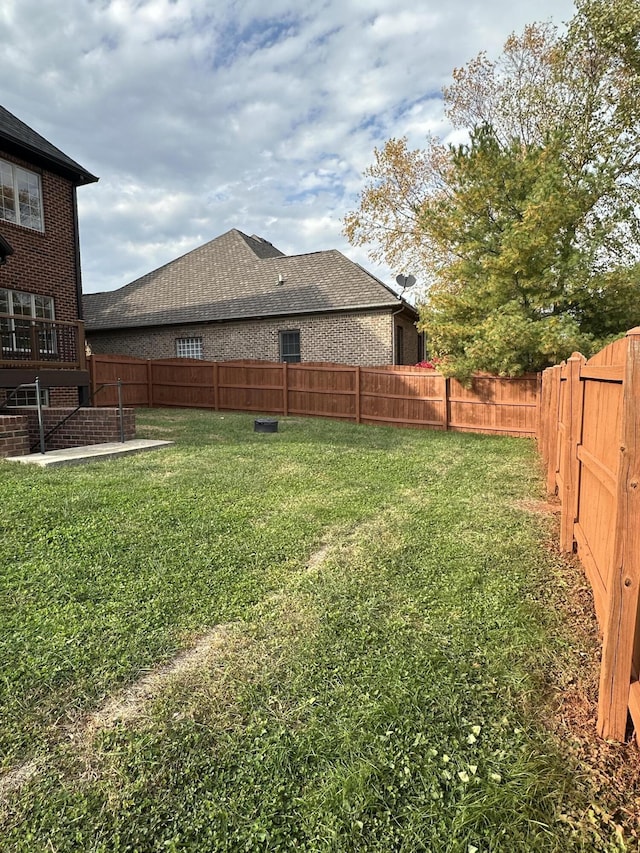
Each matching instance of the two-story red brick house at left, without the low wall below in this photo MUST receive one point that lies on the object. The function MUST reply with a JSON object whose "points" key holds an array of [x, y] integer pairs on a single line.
{"points": [[41, 333]]}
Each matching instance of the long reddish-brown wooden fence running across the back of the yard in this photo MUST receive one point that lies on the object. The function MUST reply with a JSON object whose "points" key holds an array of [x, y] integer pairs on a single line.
{"points": [[396, 396]]}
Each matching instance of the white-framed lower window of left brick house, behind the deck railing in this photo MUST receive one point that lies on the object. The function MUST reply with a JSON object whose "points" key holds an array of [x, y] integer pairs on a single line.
{"points": [[16, 330]]}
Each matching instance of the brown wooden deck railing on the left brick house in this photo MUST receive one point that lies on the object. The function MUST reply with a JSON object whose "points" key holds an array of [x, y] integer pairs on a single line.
{"points": [[38, 342]]}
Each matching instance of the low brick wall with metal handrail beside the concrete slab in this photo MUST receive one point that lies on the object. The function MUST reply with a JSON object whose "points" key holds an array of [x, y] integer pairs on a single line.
{"points": [[86, 426]]}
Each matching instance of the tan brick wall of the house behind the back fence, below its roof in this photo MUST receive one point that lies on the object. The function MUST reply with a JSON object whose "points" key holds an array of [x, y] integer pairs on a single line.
{"points": [[351, 338]]}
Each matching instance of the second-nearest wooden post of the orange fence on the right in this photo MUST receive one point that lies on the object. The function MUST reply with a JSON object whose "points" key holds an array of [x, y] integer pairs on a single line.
{"points": [[572, 418]]}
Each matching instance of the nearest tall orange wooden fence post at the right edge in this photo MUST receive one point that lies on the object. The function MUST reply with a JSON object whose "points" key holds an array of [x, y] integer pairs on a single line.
{"points": [[624, 576]]}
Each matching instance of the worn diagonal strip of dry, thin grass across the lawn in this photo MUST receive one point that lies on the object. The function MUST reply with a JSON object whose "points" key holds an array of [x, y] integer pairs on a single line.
{"points": [[207, 678]]}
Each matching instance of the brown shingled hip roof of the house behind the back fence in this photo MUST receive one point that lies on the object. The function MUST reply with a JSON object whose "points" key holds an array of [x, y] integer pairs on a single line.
{"points": [[236, 277]]}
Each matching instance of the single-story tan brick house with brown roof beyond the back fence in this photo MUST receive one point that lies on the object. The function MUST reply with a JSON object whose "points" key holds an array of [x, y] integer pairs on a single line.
{"points": [[238, 297]]}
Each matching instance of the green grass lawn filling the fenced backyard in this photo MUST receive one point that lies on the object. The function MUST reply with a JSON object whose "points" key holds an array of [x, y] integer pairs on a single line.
{"points": [[391, 696]]}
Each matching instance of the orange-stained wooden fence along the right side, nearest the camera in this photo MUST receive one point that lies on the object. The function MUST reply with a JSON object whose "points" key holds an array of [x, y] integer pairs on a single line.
{"points": [[590, 443]]}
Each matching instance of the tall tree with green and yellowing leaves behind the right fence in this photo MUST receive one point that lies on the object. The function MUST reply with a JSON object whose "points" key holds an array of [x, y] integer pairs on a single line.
{"points": [[529, 234]]}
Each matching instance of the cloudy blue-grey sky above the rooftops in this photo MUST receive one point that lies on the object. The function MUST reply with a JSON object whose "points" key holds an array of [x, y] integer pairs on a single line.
{"points": [[204, 115]]}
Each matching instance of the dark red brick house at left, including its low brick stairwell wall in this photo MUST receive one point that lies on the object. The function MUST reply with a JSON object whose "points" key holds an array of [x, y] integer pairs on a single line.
{"points": [[41, 330]]}
